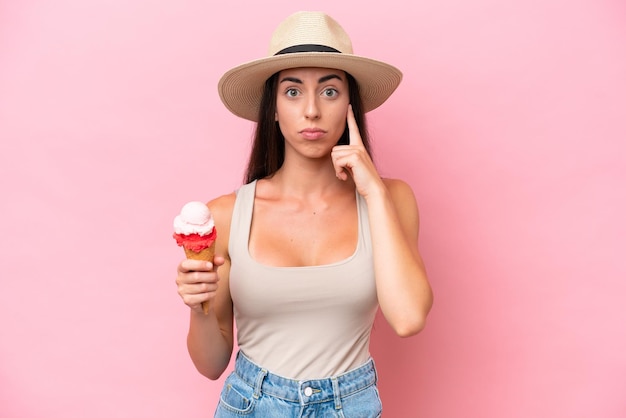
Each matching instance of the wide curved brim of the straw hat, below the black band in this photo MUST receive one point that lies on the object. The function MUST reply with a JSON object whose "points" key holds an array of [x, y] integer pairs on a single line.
{"points": [[241, 88]]}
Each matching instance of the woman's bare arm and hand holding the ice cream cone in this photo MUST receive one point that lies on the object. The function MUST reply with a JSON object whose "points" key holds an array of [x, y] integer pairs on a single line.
{"points": [[210, 337]]}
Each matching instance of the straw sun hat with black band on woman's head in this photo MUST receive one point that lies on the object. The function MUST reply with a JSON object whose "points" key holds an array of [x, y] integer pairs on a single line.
{"points": [[306, 39]]}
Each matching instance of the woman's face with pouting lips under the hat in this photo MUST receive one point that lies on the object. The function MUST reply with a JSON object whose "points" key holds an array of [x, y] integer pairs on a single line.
{"points": [[311, 109]]}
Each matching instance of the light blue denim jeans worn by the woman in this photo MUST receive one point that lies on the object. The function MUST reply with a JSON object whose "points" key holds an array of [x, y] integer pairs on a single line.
{"points": [[251, 391]]}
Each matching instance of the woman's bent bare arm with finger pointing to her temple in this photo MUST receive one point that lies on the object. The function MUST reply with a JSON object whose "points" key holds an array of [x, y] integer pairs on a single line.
{"points": [[404, 294]]}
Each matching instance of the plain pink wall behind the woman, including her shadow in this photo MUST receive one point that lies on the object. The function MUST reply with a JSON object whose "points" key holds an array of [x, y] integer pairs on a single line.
{"points": [[509, 124]]}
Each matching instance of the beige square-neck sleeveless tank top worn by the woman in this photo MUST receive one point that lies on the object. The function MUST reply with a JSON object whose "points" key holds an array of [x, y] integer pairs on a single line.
{"points": [[302, 322]]}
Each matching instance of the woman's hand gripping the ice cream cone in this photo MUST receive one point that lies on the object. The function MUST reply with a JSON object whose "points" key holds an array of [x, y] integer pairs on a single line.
{"points": [[197, 281]]}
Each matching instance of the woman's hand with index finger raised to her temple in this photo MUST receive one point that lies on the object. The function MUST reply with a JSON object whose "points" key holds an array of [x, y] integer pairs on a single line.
{"points": [[353, 160]]}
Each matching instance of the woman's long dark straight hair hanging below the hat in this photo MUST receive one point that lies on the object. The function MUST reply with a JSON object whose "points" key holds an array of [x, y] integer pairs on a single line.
{"points": [[268, 145]]}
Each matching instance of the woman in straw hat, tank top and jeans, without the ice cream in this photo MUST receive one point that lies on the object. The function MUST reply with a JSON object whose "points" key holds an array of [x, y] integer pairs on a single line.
{"points": [[313, 244]]}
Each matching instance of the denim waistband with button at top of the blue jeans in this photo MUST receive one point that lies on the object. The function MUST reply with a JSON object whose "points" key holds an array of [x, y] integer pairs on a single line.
{"points": [[305, 391]]}
